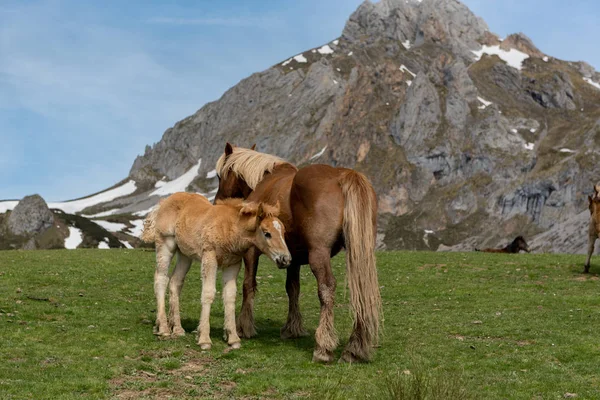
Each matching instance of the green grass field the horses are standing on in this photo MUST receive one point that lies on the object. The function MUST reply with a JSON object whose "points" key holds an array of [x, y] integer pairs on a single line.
{"points": [[79, 324]]}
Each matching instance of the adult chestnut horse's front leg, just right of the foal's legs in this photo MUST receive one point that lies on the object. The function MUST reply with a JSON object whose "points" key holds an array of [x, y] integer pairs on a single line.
{"points": [[245, 324]]}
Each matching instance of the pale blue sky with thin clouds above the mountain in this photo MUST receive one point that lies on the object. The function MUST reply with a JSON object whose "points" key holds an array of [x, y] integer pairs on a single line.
{"points": [[84, 86]]}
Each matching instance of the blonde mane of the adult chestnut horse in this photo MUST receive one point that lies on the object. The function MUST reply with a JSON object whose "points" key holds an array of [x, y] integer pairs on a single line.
{"points": [[248, 164]]}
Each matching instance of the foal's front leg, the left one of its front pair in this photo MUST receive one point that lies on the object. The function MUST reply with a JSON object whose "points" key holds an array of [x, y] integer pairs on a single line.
{"points": [[209, 288]]}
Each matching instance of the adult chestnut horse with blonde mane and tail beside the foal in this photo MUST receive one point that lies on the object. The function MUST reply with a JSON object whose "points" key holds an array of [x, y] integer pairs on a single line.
{"points": [[324, 209]]}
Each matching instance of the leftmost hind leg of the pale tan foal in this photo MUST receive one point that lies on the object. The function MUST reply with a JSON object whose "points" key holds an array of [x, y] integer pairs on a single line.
{"points": [[165, 249]]}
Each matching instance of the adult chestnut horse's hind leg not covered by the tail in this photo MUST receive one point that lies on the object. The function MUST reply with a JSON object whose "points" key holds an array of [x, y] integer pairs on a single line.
{"points": [[325, 336]]}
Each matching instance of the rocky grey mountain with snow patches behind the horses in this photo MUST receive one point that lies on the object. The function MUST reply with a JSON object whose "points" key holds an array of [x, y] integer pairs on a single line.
{"points": [[468, 139]]}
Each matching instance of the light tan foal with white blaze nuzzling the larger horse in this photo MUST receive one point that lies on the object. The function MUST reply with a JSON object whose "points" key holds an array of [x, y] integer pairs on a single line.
{"points": [[189, 225]]}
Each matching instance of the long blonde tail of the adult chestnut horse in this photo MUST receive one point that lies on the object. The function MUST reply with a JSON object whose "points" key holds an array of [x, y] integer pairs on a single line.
{"points": [[360, 233]]}
